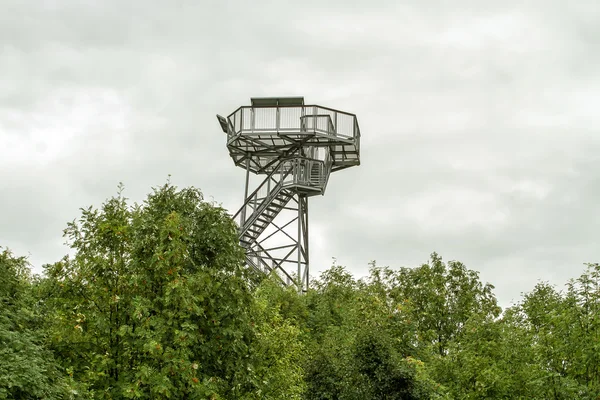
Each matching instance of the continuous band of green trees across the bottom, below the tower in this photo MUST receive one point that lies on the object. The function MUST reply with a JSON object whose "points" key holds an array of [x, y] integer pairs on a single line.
{"points": [[155, 303]]}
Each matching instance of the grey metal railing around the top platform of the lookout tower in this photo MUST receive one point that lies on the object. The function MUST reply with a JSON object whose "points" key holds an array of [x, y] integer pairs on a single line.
{"points": [[311, 118]]}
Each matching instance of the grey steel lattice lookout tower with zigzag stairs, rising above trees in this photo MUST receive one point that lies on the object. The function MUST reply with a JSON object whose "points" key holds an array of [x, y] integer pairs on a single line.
{"points": [[295, 147]]}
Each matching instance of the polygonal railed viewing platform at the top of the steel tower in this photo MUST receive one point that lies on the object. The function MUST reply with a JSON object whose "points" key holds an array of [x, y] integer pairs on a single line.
{"points": [[259, 136]]}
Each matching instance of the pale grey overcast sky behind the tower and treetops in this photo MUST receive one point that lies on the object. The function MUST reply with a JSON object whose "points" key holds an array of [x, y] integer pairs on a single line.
{"points": [[479, 119]]}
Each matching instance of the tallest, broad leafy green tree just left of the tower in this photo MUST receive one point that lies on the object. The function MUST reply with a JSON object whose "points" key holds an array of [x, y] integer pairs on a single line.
{"points": [[155, 301]]}
